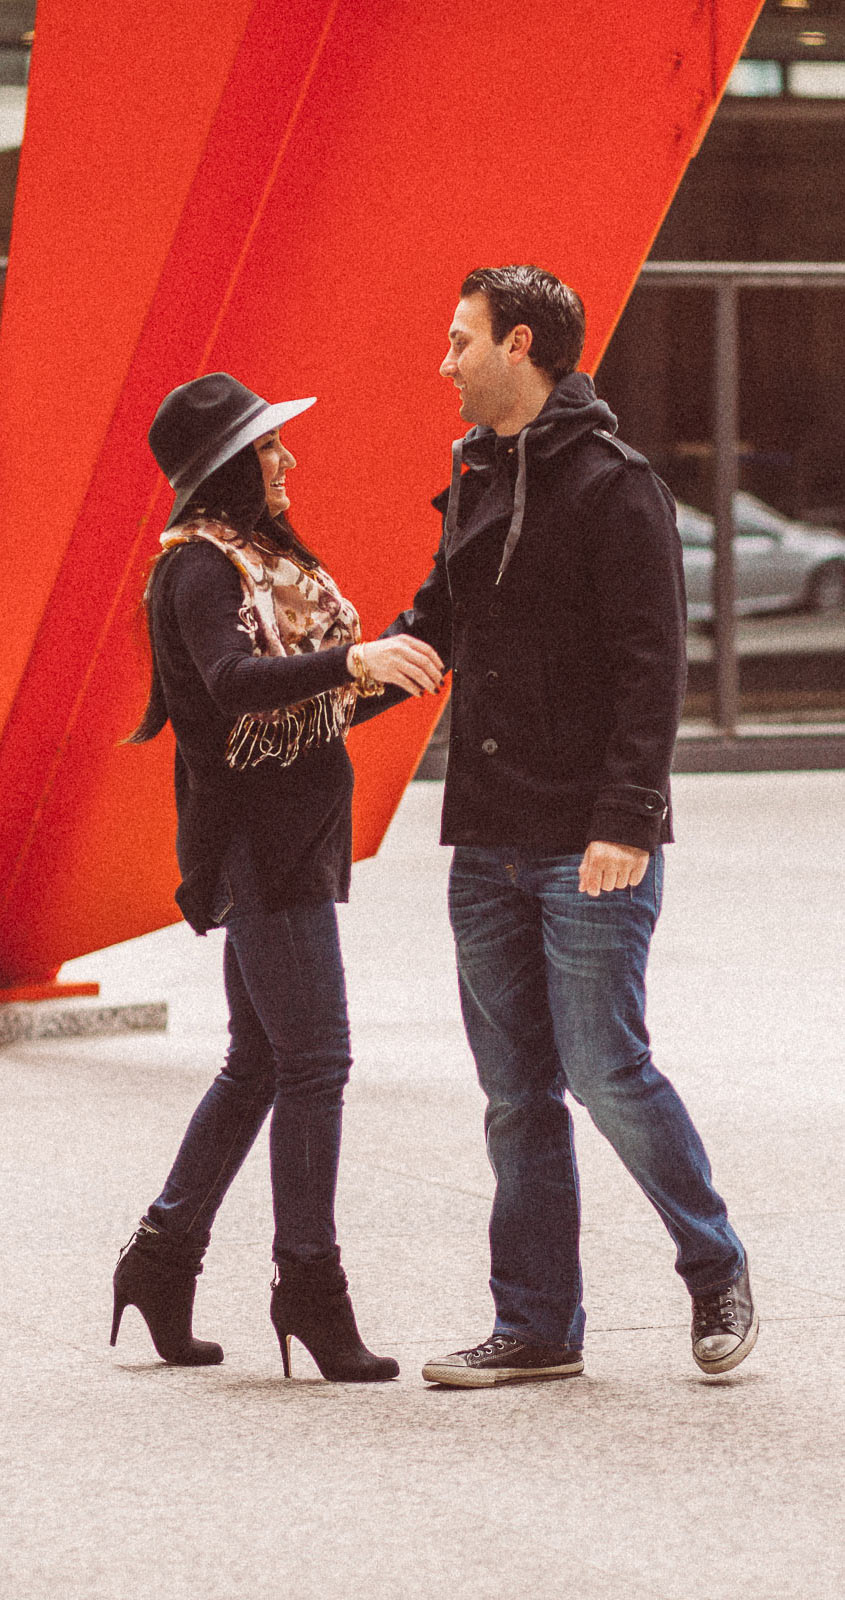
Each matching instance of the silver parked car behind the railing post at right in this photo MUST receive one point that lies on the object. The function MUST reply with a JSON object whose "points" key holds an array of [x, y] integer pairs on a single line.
{"points": [[780, 566]]}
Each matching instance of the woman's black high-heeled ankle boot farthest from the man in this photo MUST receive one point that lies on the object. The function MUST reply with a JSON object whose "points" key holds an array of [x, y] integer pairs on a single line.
{"points": [[161, 1279]]}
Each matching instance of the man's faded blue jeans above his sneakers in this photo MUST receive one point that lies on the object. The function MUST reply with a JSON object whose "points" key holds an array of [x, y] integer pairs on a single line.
{"points": [[553, 993]]}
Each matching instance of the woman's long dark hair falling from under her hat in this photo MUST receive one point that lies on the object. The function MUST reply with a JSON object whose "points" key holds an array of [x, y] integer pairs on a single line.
{"points": [[233, 495]]}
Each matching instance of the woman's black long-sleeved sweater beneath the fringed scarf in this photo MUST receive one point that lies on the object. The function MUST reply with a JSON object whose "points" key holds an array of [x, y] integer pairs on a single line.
{"points": [[295, 820]]}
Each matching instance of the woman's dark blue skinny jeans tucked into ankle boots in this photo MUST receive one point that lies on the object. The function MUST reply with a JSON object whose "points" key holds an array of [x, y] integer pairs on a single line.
{"points": [[289, 1055]]}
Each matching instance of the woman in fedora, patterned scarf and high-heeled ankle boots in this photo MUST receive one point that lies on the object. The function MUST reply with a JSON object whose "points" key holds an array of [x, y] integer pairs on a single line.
{"points": [[257, 662]]}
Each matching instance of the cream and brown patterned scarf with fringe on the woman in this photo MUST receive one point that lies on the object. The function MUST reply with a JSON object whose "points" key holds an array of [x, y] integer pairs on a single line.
{"points": [[287, 610]]}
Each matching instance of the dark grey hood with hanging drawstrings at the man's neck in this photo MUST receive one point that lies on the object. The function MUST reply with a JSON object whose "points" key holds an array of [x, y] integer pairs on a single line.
{"points": [[572, 410]]}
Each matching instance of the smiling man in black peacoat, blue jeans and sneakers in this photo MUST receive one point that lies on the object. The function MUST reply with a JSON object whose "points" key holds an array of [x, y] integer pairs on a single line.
{"points": [[558, 598]]}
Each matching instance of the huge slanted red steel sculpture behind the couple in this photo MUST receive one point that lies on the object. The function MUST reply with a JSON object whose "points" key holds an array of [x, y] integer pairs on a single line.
{"points": [[294, 194]]}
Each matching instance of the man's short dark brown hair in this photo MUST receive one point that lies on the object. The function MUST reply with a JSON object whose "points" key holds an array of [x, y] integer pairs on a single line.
{"points": [[543, 303]]}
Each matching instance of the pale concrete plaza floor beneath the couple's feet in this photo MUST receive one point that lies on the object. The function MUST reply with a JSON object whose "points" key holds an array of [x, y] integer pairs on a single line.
{"points": [[643, 1481]]}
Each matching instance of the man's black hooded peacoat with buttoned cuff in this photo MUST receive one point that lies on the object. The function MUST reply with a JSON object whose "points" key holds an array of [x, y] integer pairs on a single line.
{"points": [[558, 601]]}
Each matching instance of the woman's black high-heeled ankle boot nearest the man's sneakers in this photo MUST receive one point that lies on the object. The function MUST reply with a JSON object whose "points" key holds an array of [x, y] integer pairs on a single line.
{"points": [[311, 1303]]}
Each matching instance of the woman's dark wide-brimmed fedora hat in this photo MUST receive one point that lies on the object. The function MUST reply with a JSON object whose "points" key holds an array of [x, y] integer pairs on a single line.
{"points": [[202, 425]]}
